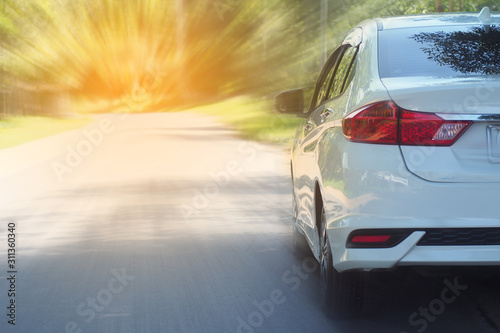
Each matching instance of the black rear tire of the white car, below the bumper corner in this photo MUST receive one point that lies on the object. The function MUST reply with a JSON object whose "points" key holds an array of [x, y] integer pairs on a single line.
{"points": [[342, 293]]}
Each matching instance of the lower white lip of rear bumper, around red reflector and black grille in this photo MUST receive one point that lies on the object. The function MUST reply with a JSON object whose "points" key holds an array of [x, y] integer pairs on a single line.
{"points": [[408, 252]]}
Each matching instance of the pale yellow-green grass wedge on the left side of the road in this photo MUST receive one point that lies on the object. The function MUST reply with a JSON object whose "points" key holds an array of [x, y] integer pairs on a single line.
{"points": [[16, 130]]}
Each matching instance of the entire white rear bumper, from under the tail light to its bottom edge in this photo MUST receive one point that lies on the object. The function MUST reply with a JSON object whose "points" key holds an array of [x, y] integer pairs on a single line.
{"points": [[377, 191]]}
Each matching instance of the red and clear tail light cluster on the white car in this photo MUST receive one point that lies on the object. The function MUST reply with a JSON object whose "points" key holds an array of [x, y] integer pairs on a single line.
{"points": [[386, 123]]}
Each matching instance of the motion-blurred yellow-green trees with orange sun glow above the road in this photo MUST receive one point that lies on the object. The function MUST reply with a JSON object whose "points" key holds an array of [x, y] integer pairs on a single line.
{"points": [[152, 54]]}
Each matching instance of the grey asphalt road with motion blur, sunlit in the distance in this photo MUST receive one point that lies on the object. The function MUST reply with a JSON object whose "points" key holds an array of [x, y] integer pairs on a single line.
{"points": [[170, 223]]}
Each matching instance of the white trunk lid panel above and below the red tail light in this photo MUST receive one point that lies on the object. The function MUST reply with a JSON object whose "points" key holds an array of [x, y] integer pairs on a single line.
{"points": [[475, 156]]}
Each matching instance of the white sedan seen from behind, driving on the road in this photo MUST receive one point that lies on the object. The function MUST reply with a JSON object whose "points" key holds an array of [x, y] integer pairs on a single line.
{"points": [[398, 160]]}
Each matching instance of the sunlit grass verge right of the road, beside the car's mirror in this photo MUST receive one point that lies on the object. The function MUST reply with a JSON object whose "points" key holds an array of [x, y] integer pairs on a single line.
{"points": [[254, 119]]}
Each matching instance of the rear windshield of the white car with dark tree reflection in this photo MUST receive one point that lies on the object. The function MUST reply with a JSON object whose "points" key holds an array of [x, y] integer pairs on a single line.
{"points": [[439, 51]]}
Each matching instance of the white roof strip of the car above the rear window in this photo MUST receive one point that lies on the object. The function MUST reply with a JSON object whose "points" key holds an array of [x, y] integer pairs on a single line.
{"points": [[429, 20]]}
